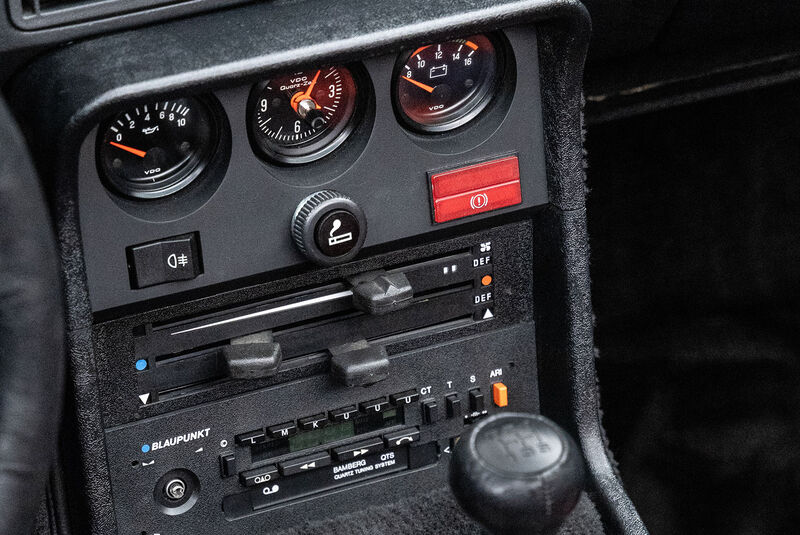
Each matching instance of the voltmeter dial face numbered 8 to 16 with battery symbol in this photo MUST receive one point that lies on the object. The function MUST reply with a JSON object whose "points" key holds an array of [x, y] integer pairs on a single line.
{"points": [[441, 86]]}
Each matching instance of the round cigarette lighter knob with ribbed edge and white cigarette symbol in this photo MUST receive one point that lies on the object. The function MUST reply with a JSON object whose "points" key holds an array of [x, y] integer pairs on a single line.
{"points": [[329, 228]]}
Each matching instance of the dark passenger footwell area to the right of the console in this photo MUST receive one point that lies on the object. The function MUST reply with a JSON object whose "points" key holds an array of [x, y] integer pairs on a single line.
{"points": [[694, 217]]}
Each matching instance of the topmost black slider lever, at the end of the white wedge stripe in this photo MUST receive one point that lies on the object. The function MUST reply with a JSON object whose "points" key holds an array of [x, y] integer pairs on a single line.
{"points": [[378, 292]]}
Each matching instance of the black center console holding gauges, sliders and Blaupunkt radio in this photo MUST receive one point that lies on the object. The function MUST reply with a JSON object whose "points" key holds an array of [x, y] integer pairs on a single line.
{"points": [[298, 279]]}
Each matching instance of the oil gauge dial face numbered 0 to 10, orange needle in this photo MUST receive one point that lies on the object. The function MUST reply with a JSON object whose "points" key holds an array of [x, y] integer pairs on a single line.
{"points": [[158, 148]]}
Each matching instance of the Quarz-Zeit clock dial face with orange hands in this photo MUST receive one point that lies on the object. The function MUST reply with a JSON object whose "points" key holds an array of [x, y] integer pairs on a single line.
{"points": [[302, 116]]}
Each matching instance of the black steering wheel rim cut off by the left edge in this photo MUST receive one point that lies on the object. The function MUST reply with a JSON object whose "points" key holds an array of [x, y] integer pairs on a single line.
{"points": [[31, 335]]}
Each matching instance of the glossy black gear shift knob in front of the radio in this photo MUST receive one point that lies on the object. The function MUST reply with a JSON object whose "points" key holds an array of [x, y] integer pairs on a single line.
{"points": [[517, 473]]}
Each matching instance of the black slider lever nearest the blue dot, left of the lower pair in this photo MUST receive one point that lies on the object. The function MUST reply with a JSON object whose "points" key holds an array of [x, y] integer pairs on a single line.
{"points": [[253, 357]]}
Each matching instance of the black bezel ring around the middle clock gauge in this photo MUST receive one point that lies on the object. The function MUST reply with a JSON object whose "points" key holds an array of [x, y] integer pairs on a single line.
{"points": [[319, 147]]}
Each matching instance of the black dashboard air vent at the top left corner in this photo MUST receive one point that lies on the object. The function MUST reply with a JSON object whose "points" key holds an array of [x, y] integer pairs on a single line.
{"points": [[39, 14]]}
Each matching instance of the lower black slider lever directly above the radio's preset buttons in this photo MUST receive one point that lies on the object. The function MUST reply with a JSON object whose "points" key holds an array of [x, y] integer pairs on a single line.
{"points": [[359, 363]]}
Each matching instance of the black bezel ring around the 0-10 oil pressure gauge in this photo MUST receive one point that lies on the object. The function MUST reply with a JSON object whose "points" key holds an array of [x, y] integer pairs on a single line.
{"points": [[176, 181]]}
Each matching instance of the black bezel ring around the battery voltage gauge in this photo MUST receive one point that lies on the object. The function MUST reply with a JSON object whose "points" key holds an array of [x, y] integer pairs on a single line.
{"points": [[484, 99]]}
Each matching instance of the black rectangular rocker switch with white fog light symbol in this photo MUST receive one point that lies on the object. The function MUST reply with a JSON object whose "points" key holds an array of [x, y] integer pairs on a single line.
{"points": [[167, 260]]}
